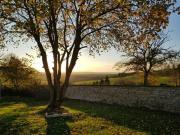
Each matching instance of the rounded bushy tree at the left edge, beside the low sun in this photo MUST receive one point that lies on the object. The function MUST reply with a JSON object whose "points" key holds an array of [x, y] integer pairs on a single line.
{"points": [[15, 70]]}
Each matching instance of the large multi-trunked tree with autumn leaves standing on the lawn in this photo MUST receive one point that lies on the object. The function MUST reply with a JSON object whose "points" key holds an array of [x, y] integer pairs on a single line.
{"points": [[65, 27]]}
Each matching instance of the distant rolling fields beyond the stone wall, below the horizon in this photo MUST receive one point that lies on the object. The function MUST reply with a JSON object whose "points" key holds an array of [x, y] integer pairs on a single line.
{"points": [[89, 78]]}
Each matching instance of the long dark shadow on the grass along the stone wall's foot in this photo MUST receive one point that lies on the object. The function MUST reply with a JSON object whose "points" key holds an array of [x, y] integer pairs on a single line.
{"points": [[139, 119]]}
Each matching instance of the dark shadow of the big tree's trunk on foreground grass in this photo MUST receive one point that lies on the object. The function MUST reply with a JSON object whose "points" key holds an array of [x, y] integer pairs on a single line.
{"points": [[57, 126]]}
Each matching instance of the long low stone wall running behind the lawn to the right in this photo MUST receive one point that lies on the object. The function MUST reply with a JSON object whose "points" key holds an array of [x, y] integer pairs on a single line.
{"points": [[158, 98]]}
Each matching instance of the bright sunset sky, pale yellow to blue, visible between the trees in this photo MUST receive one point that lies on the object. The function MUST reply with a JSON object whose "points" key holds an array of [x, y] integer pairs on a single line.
{"points": [[100, 63]]}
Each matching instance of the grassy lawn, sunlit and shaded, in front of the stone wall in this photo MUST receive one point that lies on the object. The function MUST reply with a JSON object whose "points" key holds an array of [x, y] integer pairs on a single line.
{"points": [[25, 116]]}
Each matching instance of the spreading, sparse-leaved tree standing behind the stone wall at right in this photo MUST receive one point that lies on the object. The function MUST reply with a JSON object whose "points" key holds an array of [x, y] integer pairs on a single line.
{"points": [[147, 55]]}
